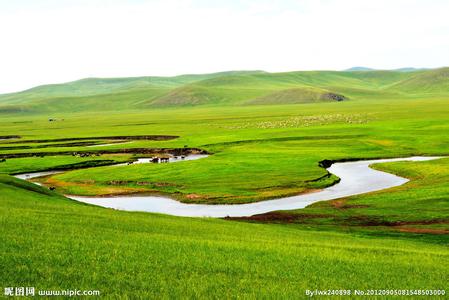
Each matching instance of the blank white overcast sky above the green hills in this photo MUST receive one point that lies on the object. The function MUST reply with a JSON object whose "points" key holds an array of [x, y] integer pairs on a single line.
{"points": [[53, 41]]}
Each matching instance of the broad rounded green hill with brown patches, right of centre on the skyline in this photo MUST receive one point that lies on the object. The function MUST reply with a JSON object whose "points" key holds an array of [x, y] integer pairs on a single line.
{"points": [[278, 88]]}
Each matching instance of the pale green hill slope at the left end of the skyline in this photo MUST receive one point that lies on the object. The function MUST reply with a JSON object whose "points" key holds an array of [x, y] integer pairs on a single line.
{"points": [[109, 91]]}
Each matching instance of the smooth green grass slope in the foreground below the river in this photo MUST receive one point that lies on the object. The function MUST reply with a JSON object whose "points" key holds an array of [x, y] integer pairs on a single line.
{"points": [[53, 243]]}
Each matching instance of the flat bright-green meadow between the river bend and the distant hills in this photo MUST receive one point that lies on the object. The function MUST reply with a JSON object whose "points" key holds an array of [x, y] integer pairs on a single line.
{"points": [[258, 153]]}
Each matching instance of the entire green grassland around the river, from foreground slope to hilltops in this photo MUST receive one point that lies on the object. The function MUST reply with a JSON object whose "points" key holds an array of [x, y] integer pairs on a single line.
{"points": [[266, 133]]}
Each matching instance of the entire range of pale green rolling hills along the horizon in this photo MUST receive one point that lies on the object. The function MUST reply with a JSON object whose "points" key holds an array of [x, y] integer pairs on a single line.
{"points": [[227, 88]]}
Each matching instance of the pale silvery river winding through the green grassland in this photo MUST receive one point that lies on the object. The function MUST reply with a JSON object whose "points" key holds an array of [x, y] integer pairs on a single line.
{"points": [[356, 178]]}
